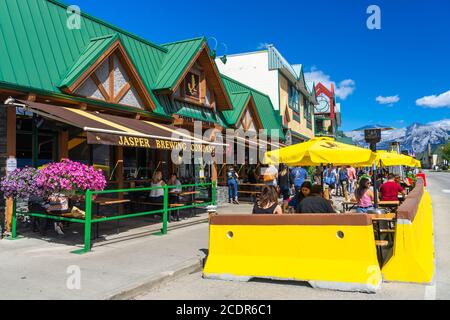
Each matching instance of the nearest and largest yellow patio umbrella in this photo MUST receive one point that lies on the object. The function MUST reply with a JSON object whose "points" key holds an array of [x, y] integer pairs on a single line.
{"points": [[320, 151]]}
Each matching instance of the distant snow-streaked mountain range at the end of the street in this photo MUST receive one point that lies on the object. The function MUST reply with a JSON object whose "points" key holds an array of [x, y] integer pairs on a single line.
{"points": [[413, 138]]}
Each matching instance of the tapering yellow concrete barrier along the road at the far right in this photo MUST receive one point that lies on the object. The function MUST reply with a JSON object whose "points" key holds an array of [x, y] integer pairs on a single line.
{"points": [[413, 254]]}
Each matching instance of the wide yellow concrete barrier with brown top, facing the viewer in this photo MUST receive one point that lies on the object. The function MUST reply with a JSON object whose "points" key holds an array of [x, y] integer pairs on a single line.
{"points": [[328, 251]]}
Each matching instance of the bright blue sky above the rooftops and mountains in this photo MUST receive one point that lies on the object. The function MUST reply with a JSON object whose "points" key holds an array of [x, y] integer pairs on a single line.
{"points": [[408, 57]]}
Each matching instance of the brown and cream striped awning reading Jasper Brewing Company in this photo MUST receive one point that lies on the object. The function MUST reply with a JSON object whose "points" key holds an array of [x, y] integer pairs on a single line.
{"points": [[108, 129]]}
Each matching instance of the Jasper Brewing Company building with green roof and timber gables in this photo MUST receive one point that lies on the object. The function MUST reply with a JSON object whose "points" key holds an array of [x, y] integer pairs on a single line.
{"points": [[102, 96]]}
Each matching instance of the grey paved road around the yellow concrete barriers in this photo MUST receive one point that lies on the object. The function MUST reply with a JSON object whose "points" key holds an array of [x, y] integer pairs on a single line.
{"points": [[194, 287]]}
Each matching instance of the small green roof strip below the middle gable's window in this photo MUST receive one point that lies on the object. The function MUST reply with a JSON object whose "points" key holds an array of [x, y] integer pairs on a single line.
{"points": [[187, 110]]}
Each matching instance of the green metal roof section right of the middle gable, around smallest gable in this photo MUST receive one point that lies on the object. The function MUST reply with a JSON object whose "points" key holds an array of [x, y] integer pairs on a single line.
{"points": [[239, 94]]}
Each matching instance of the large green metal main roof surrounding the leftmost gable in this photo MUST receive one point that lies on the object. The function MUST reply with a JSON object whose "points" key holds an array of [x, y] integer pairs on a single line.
{"points": [[38, 50]]}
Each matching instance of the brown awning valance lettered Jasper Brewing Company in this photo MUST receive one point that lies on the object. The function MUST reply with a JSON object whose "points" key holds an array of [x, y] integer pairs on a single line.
{"points": [[149, 143]]}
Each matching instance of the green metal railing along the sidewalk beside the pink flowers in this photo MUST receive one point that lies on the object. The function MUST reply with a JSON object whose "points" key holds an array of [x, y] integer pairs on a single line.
{"points": [[90, 220]]}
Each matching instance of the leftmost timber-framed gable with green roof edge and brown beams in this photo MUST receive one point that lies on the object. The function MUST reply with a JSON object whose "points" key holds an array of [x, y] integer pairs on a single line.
{"points": [[105, 72]]}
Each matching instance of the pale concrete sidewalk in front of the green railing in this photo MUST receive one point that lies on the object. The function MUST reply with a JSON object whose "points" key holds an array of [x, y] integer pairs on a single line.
{"points": [[36, 268]]}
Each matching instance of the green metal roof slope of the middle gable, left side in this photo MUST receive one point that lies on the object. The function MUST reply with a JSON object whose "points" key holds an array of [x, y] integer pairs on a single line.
{"points": [[179, 55]]}
